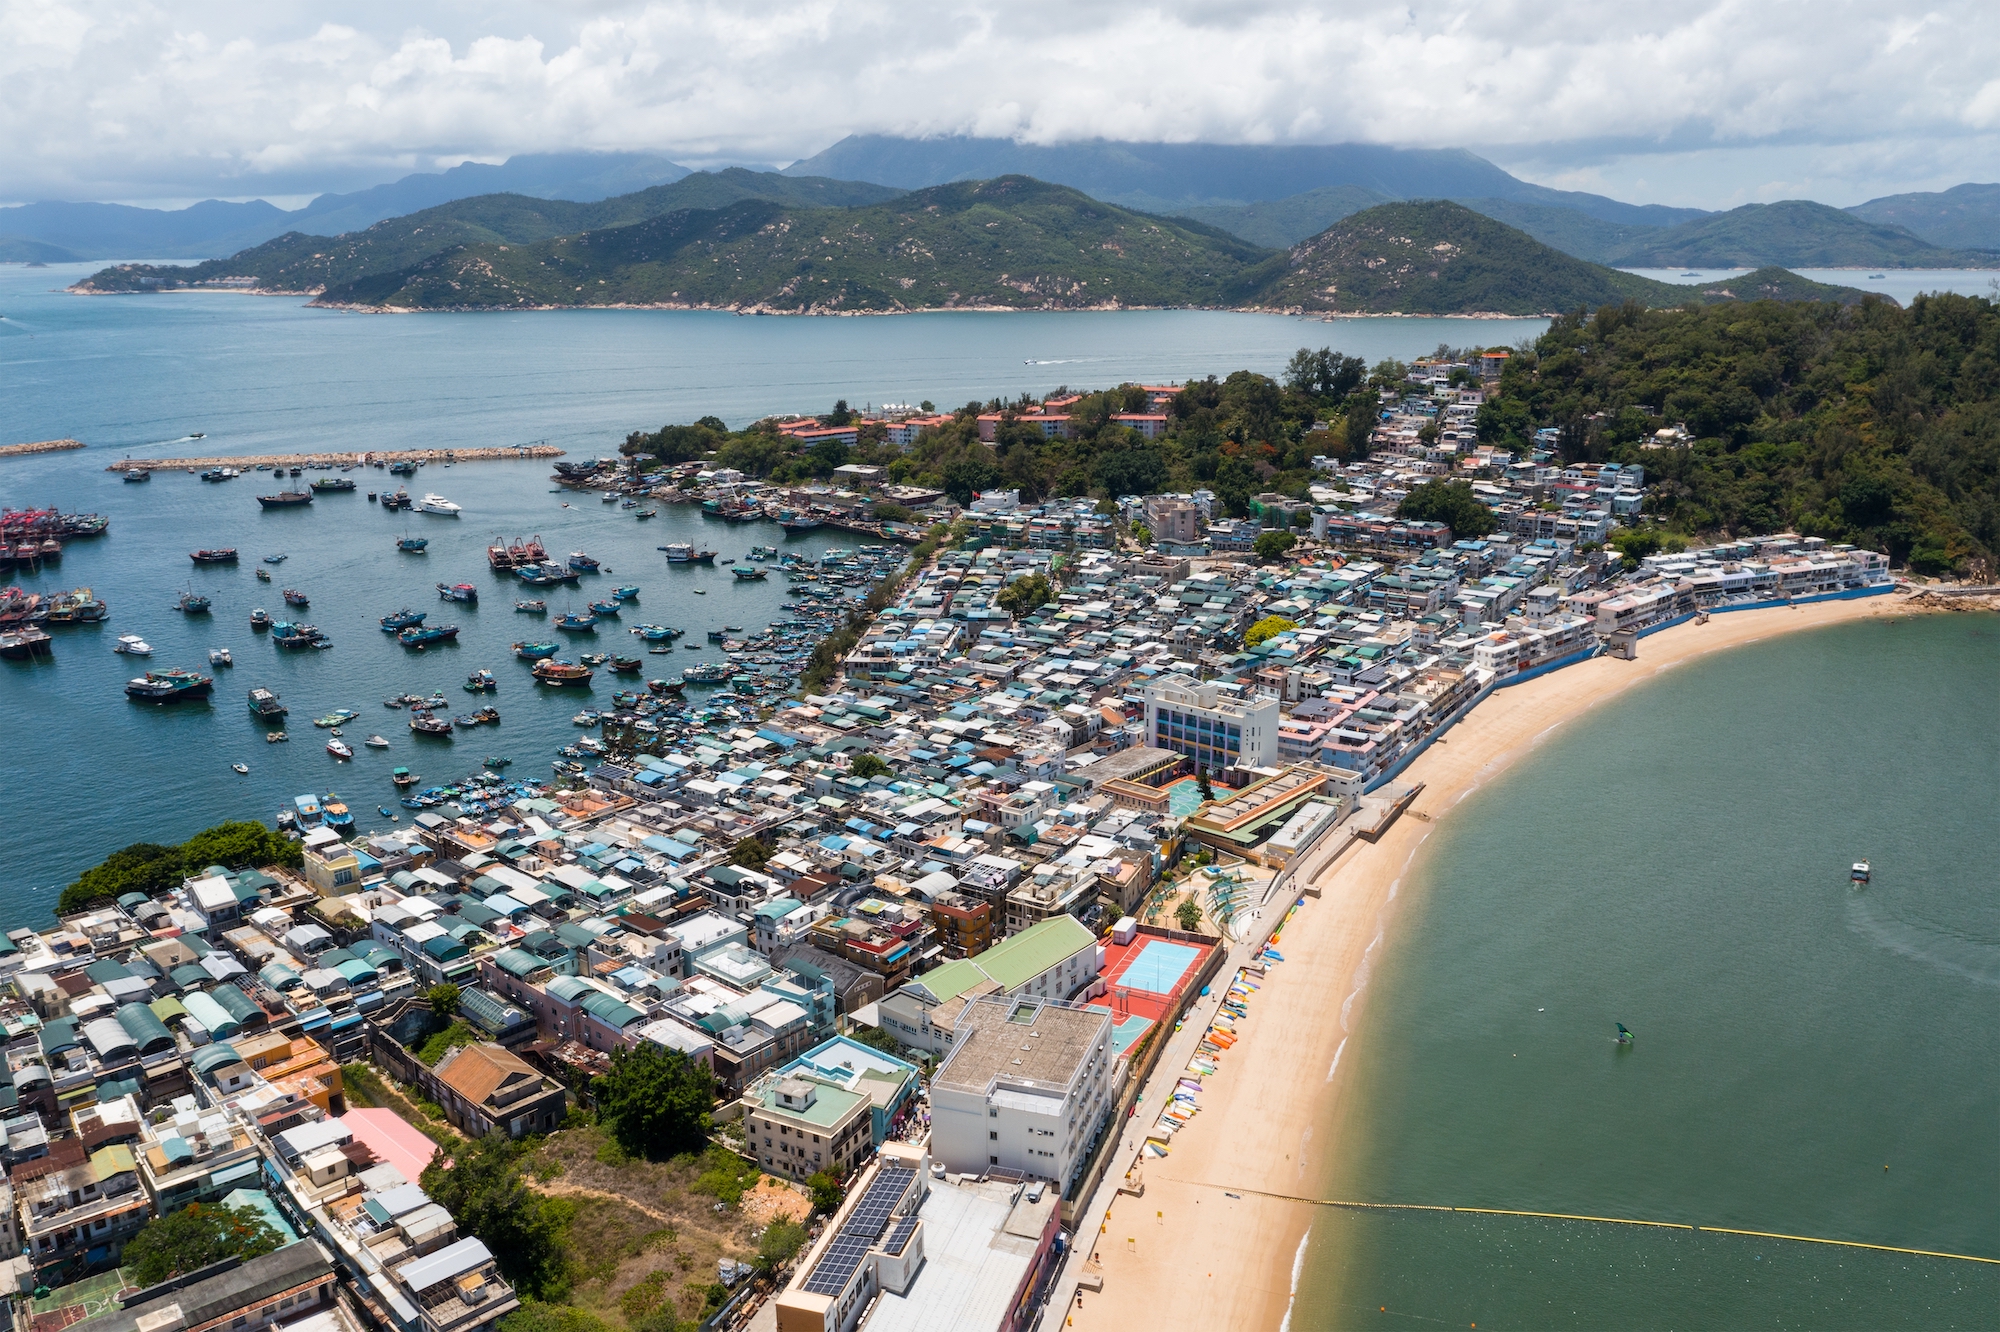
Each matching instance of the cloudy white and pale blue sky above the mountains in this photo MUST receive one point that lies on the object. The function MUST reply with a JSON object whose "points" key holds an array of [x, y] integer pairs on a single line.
{"points": [[1695, 105]]}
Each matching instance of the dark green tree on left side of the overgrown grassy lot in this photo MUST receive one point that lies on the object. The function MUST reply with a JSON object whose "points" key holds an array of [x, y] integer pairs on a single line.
{"points": [[481, 1187]]}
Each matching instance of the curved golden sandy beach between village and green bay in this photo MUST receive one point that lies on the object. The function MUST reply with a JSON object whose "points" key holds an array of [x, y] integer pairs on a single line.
{"points": [[1275, 1113]]}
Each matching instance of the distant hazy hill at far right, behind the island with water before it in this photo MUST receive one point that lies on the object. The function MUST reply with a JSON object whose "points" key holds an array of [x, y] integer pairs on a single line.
{"points": [[1793, 235]]}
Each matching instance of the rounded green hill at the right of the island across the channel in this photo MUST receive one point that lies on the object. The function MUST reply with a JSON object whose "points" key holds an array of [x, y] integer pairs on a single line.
{"points": [[1447, 259]]}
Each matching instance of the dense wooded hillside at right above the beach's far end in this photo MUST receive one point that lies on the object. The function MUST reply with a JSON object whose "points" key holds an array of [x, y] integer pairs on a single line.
{"points": [[1867, 423]]}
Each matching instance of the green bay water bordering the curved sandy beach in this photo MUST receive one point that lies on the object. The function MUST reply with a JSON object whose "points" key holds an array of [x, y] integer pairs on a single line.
{"points": [[1811, 1059]]}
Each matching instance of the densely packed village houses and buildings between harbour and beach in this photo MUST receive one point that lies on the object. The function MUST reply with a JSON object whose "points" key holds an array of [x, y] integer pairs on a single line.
{"points": [[943, 977]]}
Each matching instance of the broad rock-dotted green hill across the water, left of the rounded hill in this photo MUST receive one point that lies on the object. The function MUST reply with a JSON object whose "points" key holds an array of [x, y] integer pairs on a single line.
{"points": [[1011, 243]]}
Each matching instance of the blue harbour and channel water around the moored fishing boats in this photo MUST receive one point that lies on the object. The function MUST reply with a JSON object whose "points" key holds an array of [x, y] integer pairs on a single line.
{"points": [[131, 377]]}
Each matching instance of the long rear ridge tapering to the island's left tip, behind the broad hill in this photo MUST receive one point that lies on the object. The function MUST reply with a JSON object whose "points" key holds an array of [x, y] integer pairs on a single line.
{"points": [[301, 263]]}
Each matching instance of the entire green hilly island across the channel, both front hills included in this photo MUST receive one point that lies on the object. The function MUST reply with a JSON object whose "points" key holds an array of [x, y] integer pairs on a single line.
{"points": [[785, 245]]}
